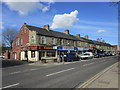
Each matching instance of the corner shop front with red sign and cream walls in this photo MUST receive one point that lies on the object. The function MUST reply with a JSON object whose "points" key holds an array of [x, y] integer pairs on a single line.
{"points": [[37, 53]]}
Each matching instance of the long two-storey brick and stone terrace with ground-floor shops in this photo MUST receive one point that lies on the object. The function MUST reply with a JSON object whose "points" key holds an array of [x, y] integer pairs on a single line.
{"points": [[34, 43]]}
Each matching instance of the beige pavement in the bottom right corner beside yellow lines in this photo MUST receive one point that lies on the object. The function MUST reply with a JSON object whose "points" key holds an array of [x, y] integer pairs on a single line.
{"points": [[107, 78]]}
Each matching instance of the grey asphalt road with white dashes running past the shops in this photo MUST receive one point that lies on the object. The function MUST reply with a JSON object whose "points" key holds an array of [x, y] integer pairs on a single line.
{"points": [[54, 76]]}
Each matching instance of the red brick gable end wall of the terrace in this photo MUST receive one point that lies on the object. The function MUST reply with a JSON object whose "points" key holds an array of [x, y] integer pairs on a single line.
{"points": [[24, 35]]}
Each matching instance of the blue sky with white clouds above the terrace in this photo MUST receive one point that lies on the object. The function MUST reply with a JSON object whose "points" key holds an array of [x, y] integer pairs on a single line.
{"points": [[95, 19]]}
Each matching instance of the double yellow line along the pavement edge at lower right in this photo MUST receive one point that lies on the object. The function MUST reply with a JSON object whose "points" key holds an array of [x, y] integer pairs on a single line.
{"points": [[85, 84]]}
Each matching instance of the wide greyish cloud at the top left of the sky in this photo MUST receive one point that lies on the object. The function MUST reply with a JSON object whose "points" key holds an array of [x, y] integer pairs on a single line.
{"points": [[23, 8]]}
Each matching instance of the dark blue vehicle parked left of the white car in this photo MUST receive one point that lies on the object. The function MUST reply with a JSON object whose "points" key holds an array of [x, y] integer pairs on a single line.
{"points": [[68, 57]]}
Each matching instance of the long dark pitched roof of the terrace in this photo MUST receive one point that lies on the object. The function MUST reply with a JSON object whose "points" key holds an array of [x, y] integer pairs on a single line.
{"points": [[51, 33]]}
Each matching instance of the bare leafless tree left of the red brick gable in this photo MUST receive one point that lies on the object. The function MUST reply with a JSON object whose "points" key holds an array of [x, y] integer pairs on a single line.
{"points": [[8, 36]]}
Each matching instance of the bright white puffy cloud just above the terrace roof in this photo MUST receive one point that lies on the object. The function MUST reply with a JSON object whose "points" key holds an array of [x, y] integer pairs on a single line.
{"points": [[65, 20]]}
